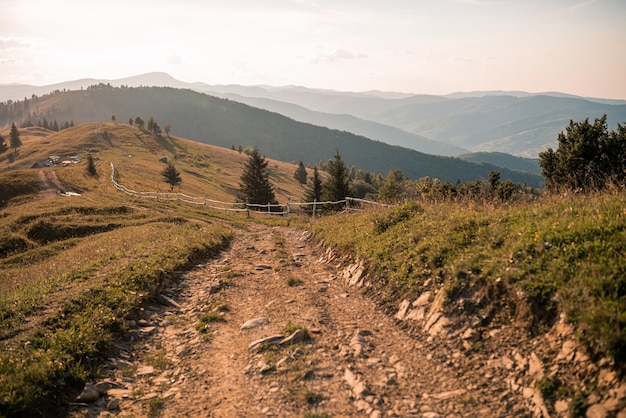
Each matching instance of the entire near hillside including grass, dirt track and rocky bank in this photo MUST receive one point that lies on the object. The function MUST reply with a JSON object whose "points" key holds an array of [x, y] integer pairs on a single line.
{"points": [[113, 304]]}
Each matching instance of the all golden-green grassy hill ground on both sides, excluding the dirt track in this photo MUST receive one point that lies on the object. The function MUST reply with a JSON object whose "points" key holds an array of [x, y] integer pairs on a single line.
{"points": [[74, 269]]}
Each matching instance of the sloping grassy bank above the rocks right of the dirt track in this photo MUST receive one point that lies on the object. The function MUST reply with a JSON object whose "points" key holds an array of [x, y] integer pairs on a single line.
{"points": [[557, 254]]}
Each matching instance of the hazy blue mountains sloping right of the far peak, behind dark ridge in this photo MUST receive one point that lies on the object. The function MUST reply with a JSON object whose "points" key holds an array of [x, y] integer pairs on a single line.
{"points": [[517, 123]]}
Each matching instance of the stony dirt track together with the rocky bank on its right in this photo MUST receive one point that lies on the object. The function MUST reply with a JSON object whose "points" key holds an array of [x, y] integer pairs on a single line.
{"points": [[278, 326]]}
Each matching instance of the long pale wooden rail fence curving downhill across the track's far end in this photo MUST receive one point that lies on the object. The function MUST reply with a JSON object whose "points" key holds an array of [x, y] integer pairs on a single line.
{"points": [[349, 203]]}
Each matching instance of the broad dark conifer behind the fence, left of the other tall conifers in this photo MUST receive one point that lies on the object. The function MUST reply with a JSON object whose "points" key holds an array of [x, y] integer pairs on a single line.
{"points": [[255, 186]]}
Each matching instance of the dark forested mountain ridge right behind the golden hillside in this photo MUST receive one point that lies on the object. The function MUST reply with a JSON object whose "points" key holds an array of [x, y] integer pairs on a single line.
{"points": [[226, 123]]}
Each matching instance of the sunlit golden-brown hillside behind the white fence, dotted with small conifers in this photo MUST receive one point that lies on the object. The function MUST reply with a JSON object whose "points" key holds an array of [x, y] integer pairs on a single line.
{"points": [[207, 170]]}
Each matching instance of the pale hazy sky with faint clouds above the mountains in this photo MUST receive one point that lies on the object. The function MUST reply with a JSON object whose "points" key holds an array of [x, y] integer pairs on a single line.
{"points": [[416, 46]]}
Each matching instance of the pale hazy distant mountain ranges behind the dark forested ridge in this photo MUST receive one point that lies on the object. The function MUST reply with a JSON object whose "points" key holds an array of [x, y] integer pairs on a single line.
{"points": [[512, 122]]}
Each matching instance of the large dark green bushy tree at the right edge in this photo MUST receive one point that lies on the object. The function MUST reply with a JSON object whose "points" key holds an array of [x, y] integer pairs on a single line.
{"points": [[588, 157]]}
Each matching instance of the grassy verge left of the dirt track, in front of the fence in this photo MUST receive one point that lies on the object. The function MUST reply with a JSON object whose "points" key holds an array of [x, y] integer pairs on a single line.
{"points": [[65, 299]]}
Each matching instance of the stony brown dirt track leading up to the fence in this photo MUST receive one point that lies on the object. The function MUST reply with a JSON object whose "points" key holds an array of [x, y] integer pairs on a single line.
{"points": [[356, 362]]}
